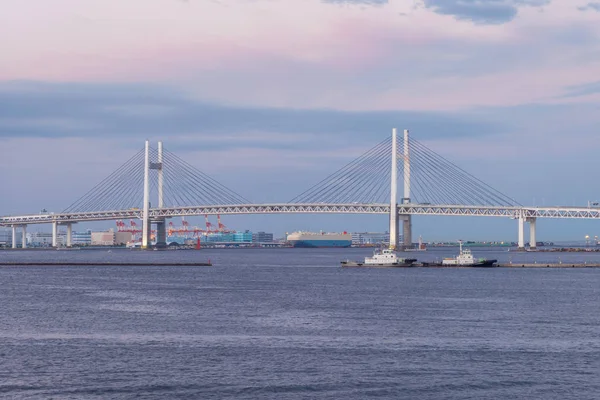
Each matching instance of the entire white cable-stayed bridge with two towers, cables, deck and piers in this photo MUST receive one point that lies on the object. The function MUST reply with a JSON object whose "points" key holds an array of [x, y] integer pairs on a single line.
{"points": [[155, 185]]}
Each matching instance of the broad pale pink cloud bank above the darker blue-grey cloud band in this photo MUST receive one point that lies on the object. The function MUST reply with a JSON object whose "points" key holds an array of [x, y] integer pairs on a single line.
{"points": [[336, 57]]}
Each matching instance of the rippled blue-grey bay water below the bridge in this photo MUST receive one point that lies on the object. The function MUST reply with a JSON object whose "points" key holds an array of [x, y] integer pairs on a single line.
{"points": [[292, 324]]}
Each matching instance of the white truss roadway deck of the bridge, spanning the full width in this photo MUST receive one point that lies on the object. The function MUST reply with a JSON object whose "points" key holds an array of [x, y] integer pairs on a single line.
{"points": [[317, 208]]}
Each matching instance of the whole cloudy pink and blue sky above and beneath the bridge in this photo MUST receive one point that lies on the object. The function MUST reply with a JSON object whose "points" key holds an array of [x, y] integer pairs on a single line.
{"points": [[269, 97]]}
